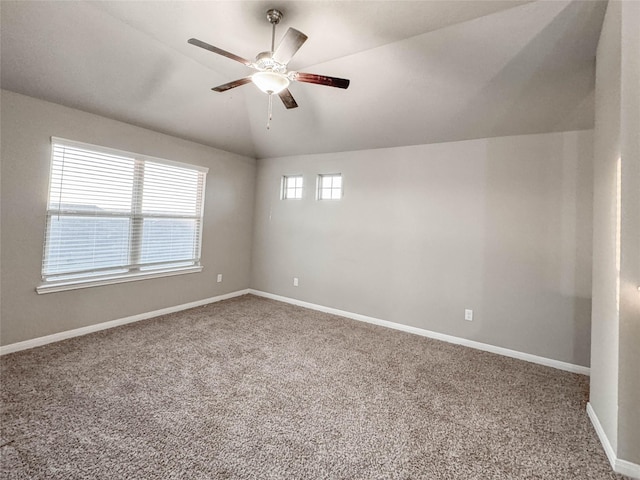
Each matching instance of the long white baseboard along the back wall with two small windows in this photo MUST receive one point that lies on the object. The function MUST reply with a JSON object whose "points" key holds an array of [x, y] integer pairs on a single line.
{"points": [[569, 367]]}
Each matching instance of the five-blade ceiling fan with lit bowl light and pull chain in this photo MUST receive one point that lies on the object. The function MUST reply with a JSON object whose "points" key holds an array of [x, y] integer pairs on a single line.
{"points": [[272, 76]]}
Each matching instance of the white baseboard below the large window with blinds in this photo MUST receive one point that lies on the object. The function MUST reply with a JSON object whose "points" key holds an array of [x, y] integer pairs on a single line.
{"points": [[56, 337]]}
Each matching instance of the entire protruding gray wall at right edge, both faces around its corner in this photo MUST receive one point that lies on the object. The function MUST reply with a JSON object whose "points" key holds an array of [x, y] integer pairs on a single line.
{"points": [[615, 343]]}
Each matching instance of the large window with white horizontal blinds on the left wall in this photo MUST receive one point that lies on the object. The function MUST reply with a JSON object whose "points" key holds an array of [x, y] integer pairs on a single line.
{"points": [[115, 216]]}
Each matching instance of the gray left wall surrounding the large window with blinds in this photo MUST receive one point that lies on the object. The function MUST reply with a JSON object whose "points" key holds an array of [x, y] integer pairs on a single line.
{"points": [[27, 125]]}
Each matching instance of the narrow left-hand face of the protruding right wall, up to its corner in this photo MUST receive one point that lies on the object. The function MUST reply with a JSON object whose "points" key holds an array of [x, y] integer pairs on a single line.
{"points": [[605, 332]]}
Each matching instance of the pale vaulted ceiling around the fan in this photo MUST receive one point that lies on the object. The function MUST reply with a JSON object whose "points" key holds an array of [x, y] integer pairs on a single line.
{"points": [[420, 71]]}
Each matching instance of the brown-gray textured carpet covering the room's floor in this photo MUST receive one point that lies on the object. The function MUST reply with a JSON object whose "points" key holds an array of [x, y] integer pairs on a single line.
{"points": [[251, 388]]}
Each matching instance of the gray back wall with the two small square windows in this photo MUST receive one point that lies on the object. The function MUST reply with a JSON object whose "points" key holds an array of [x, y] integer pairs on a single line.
{"points": [[500, 225]]}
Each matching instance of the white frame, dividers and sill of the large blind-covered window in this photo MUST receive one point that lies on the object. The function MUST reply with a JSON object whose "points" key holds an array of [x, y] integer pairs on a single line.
{"points": [[135, 270]]}
